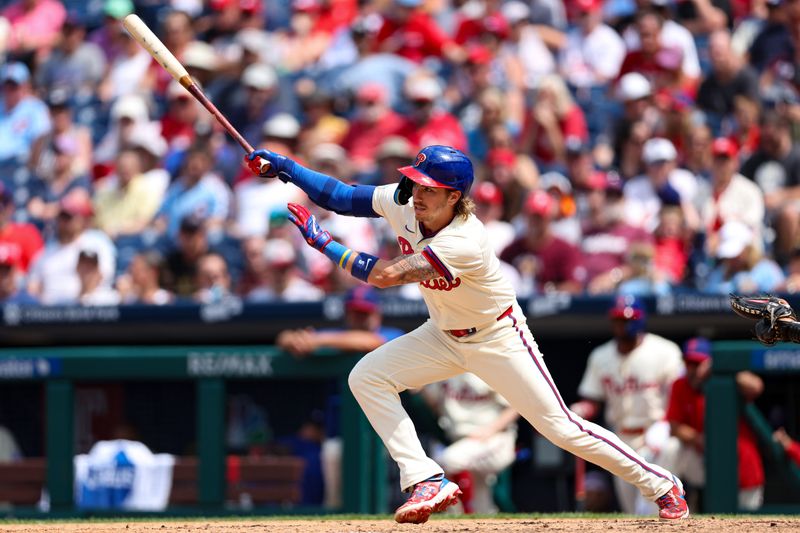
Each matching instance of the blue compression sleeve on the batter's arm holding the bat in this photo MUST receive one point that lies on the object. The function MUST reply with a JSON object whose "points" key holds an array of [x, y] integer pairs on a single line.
{"points": [[330, 193]]}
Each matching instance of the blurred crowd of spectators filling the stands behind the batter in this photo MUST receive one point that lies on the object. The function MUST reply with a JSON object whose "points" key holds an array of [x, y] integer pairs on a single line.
{"points": [[630, 146]]}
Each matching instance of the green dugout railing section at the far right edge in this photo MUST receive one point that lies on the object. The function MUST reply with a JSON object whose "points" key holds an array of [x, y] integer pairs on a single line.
{"points": [[723, 409]]}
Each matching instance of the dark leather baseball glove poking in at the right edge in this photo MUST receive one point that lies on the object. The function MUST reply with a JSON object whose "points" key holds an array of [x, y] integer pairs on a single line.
{"points": [[775, 318]]}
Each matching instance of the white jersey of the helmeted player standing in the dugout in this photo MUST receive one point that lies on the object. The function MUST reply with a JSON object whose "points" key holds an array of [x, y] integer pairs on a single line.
{"points": [[635, 386]]}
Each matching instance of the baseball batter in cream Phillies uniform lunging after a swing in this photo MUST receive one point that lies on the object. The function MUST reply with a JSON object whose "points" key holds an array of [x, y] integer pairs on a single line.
{"points": [[475, 324]]}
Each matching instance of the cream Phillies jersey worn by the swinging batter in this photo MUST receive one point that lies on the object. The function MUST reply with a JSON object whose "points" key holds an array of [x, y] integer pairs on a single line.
{"points": [[463, 256]]}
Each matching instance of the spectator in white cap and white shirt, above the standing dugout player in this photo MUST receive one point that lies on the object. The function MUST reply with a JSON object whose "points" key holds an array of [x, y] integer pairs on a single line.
{"points": [[661, 184]]}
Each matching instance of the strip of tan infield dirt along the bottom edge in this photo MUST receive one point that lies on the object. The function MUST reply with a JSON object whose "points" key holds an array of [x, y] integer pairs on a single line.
{"points": [[702, 524]]}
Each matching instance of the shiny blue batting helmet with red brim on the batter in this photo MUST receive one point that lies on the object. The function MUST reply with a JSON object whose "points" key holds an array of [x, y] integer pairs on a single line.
{"points": [[443, 167]]}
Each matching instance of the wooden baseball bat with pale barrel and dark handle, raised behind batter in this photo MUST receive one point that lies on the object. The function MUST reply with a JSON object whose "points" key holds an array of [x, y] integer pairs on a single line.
{"points": [[148, 40]]}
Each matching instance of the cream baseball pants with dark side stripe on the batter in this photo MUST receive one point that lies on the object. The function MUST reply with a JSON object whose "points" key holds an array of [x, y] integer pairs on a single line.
{"points": [[506, 357]]}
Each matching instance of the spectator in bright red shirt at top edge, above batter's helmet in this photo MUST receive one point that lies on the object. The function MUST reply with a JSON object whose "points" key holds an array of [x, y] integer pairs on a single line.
{"points": [[410, 32]]}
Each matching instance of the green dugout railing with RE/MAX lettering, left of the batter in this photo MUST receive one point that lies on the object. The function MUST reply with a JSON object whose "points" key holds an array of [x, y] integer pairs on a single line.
{"points": [[210, 368]]}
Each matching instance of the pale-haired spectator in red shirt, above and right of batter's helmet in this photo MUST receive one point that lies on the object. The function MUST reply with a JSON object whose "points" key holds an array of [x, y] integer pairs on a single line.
{"points": [[554, 118]]}
